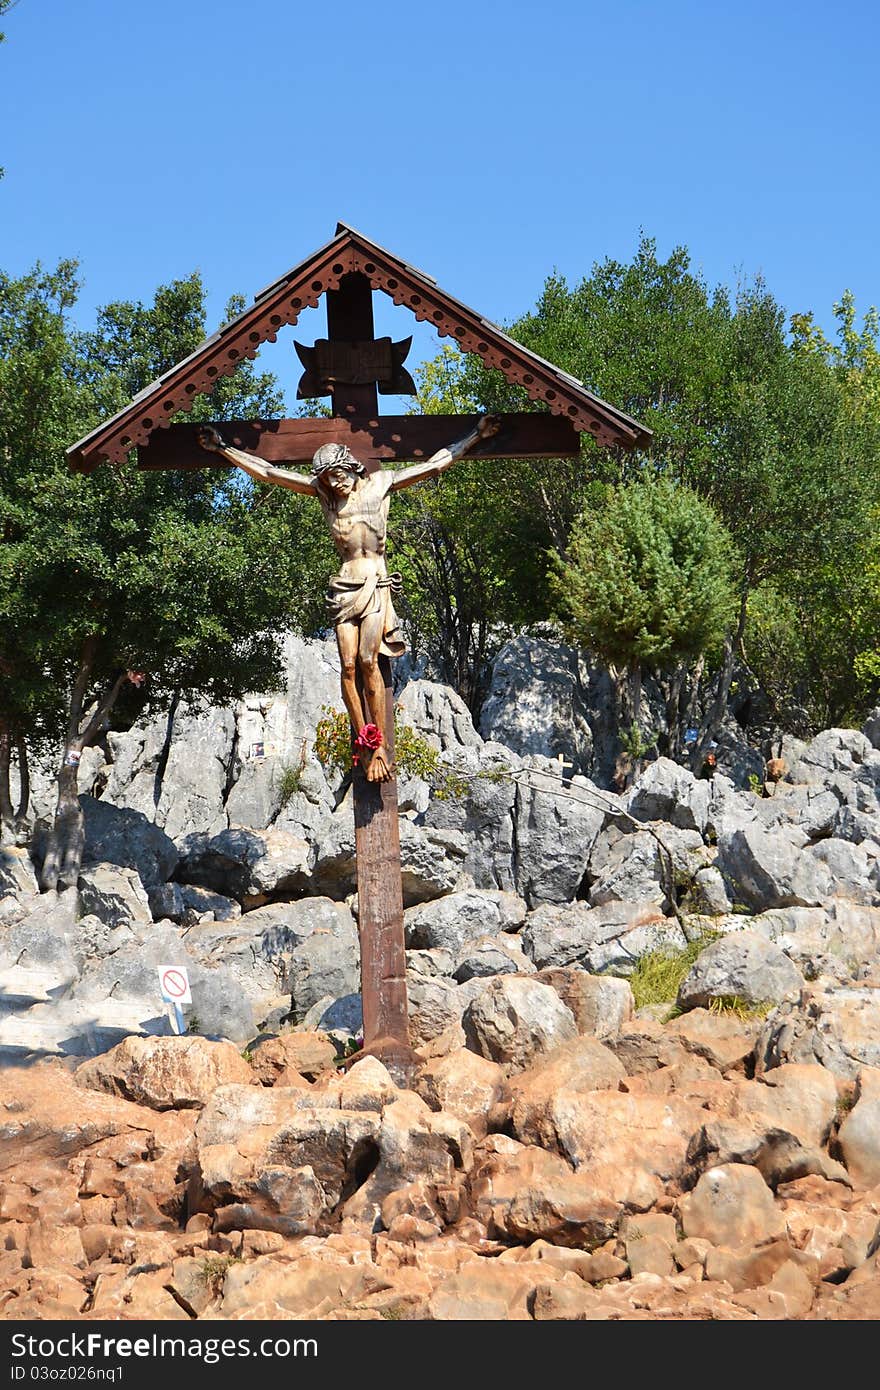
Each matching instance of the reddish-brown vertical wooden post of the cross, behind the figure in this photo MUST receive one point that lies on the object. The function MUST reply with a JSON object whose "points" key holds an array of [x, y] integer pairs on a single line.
{"points": [[377, 832]]}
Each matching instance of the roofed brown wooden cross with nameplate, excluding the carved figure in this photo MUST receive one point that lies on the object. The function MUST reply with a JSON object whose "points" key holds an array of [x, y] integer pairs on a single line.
{"points": [[354, 368]]}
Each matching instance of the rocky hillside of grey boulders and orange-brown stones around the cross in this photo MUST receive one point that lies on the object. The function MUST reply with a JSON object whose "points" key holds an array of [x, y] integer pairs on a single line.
{"points": [[560, 1153]]}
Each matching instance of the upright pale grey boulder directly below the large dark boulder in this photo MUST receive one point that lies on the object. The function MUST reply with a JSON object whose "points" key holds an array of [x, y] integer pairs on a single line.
{"points": [[555, 831]]}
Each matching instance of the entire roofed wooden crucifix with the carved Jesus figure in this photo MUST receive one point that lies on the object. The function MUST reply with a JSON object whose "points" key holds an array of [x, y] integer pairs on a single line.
{"points": [[347, 454]]}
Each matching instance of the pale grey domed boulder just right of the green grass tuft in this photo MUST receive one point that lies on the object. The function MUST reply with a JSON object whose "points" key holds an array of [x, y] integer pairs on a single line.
{"points": [[743, 967]]}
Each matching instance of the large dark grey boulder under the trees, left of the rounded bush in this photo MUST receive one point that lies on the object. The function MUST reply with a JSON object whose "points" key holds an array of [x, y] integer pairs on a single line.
{"points": [[539, 703]]}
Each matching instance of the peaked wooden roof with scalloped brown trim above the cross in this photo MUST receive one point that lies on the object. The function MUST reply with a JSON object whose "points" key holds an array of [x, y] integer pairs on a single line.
{"points": [[302, 288]]}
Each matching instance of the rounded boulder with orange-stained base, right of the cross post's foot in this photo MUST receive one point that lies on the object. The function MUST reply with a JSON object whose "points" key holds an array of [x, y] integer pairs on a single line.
{"points": [[515, 1020]]}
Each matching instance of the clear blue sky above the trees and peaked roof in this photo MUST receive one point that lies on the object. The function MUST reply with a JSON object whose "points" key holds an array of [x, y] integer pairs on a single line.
{"points": [[486, 142]]}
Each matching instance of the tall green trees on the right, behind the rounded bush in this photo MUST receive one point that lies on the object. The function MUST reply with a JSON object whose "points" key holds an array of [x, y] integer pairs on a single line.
{"points": [[778, 430]]}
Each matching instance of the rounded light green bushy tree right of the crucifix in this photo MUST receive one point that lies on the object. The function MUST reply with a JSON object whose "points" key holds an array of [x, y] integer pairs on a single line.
{"points": [[649, 584]]}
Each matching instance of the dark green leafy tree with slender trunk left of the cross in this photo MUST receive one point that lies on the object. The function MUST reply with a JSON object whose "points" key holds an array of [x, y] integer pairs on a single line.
{"points": [[186, 578]]}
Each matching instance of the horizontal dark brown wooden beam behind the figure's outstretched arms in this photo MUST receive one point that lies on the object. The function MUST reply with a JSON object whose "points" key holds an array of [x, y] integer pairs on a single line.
{"points": [[379, 440]]}
